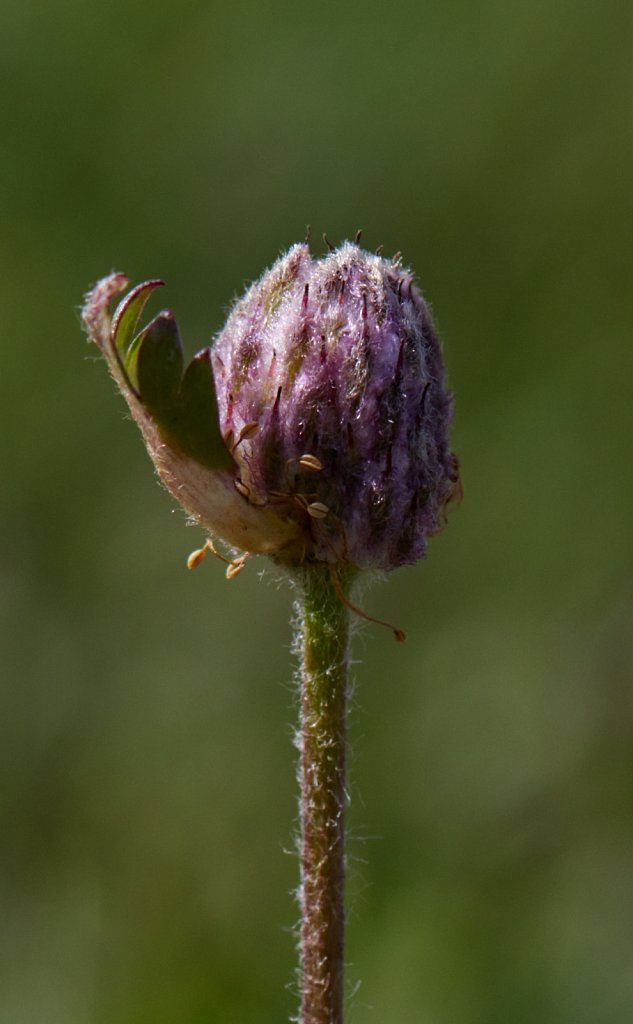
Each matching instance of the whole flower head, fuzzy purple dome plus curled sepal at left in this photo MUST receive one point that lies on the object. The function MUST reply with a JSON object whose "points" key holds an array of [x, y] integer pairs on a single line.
{"points": [[318, 425]]}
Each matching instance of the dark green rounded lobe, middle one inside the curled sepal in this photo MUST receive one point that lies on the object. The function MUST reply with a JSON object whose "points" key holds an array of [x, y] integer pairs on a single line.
{"points": [[154, 364]]}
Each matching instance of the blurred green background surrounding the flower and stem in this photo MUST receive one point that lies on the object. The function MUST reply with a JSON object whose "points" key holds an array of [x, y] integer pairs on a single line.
{"points": [[147, 713]]}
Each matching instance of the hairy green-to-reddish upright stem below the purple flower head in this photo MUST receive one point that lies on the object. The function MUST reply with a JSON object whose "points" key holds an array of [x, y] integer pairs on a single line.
{"points": [[324, 642]]}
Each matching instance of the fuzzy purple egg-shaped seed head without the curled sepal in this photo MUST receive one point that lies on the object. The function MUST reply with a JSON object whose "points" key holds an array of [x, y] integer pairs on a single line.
{"points": [[337, 363]]}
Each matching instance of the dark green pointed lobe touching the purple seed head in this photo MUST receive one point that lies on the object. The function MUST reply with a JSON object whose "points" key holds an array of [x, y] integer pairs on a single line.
{"points": [[193, 423]]}
